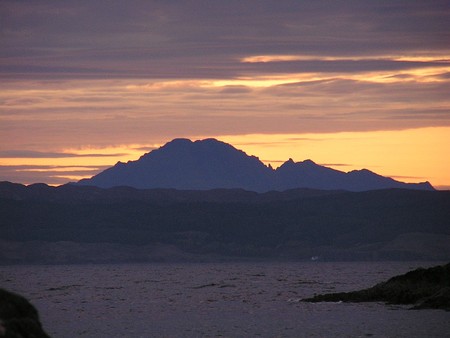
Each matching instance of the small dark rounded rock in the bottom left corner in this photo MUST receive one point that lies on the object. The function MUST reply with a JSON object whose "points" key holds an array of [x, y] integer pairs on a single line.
{"points": [[18, 318]]}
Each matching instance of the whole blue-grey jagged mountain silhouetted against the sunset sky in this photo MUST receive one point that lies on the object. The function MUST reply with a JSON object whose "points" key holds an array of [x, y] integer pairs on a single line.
{"points": [[211, 164]]}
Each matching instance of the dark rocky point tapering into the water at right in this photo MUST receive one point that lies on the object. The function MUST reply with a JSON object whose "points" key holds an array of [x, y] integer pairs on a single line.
{"points": [[423, 288]]}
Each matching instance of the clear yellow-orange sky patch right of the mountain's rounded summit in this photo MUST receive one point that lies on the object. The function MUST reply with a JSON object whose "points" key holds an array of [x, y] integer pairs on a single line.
{"points": [[413, 155]]}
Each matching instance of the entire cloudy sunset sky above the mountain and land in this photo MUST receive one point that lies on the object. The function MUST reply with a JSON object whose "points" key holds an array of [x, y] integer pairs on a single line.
{"points": [[347, 84]]}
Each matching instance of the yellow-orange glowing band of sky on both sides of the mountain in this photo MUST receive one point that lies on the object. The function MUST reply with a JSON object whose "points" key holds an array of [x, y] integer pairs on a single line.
{"points": [[413, 155]]}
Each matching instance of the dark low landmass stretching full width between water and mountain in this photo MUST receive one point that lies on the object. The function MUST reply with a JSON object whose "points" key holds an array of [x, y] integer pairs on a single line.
{"points": [[80, 224]]}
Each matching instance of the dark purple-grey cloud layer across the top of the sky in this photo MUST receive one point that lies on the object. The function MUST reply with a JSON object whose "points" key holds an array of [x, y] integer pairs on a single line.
{"points": [[206, 39]]}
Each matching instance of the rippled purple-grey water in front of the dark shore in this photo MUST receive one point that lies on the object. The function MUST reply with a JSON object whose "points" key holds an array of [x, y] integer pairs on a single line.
{"points": [[217, 300]]}
